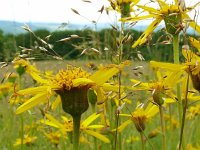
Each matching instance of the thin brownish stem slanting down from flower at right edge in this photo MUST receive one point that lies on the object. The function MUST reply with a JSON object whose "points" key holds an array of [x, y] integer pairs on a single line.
{"points": [[185, 105]]}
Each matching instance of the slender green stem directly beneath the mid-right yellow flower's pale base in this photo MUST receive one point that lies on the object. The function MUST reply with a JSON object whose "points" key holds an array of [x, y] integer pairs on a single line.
{"points": [[162, 123]]}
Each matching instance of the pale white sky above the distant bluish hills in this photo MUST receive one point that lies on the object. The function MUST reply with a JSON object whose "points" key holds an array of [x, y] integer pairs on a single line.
{"points": [[58, 11]]}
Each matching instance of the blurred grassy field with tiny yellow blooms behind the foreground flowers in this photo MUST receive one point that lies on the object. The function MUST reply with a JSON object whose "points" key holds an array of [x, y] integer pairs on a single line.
{"points": [[11, 124]]}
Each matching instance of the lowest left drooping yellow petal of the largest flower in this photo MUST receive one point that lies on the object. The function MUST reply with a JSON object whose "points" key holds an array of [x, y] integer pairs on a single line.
{"points": [[39, 98]]}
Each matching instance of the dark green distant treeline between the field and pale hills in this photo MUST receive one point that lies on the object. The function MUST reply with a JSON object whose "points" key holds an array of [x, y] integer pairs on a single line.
{"points": [[96, 45]]}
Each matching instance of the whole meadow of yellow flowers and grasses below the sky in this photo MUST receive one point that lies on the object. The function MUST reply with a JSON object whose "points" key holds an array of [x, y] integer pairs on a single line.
{"points": [[108, 97]]}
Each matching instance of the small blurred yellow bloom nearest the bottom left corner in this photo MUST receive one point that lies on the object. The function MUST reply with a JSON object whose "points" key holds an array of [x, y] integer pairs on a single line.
{"points": [[28, 140]]}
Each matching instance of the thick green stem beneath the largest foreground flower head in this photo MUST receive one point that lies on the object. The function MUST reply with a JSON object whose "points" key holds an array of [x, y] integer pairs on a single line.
{"points": [[76, 131]]}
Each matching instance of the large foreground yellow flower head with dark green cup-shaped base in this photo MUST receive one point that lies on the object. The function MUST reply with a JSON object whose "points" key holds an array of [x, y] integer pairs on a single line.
{"points": [[71, 85]]}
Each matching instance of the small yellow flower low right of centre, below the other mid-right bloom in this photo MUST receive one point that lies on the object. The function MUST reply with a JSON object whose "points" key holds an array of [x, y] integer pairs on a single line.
{"points": [[139, 117]]}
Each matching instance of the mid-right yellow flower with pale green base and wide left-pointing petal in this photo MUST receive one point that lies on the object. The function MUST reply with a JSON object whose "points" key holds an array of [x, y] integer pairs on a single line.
{"points": [[161, 89]]}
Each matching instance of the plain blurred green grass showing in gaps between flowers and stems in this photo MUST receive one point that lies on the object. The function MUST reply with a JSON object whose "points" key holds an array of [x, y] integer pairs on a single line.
{"points": [[10, 122]]}
